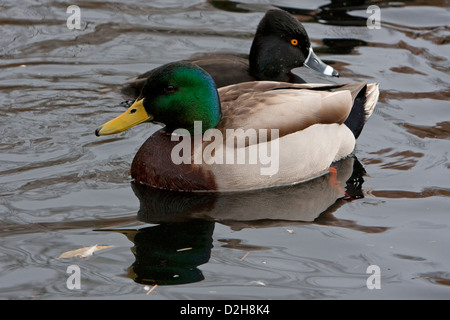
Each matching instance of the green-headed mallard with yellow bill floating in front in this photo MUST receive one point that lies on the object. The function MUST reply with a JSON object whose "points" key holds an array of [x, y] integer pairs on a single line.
{"points": [[306, 127]]}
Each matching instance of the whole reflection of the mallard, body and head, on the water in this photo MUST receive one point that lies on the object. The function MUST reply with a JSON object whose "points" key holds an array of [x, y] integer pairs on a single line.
{"points": [[170, 252]]}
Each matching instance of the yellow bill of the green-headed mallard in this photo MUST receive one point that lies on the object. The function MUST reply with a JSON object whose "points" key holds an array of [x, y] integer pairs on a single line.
{"points": [[135, 115]]}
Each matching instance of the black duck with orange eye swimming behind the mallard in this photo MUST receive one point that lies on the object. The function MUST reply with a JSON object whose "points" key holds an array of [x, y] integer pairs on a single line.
{"points": [[281, 44]]}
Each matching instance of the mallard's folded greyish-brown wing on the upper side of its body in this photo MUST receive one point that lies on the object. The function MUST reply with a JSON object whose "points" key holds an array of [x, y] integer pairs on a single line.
{"points": [[287, 109]]}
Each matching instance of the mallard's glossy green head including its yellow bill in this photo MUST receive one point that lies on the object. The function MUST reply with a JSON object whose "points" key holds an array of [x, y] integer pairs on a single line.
{"points": [[176, 94]]}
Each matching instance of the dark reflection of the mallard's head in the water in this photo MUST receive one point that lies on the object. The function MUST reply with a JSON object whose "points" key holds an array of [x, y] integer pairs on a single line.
{"points": [[169, 253]]}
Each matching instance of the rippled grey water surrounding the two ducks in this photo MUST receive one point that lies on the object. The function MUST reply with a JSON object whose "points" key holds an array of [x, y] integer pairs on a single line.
{"points": [[62, 188]]}
